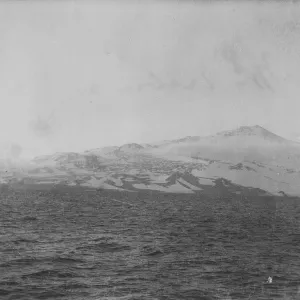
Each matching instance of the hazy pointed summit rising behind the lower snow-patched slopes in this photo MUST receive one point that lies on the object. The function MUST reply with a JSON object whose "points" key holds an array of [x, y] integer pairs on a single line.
{"points": [[247, 143]]}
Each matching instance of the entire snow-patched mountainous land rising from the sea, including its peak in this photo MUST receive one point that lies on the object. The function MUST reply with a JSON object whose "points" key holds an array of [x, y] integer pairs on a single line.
{"points": [[248, 157]]}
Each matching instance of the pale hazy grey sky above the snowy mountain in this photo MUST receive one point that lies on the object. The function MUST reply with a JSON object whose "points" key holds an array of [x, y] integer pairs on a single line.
{"points": [[76, 75]]}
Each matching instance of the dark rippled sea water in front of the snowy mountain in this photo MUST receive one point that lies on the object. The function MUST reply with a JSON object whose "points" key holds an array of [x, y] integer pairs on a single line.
{"points": [[114, 246]]}
